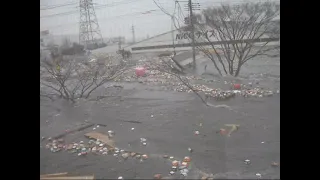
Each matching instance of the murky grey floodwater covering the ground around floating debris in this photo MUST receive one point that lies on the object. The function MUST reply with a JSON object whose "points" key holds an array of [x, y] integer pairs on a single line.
{"points": [[168, 121]]}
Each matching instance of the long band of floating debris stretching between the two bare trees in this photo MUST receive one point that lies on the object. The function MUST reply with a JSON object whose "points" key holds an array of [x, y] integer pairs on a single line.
{"points": [[156, 75]]}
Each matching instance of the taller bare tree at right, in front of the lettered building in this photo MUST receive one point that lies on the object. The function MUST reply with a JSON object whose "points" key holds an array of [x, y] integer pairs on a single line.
{"points": [[237, 34]]}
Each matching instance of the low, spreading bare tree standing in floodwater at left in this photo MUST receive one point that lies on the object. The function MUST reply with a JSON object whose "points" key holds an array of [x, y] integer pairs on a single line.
{"points": [[71, 79]]}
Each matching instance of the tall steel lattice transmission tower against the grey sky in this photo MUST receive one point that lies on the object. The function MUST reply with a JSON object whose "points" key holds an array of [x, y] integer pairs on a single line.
{"points": [[89, 32]]}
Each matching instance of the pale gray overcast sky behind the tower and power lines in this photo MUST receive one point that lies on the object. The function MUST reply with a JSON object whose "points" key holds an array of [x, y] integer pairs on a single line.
{"points": [[111, 25]]}
